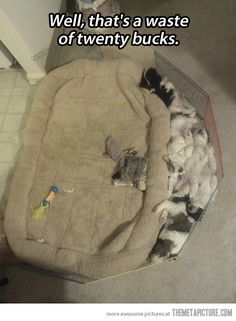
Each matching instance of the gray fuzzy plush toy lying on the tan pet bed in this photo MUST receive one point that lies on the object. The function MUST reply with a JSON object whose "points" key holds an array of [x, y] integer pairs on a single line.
{"points": [[132, 169]]}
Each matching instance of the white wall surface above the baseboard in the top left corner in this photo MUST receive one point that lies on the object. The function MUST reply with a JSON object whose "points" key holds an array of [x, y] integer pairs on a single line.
{"points": [[30, 19]]}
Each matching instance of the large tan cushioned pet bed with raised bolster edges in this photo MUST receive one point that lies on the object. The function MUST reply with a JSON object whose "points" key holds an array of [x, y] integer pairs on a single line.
{"points": [[91, 227]]}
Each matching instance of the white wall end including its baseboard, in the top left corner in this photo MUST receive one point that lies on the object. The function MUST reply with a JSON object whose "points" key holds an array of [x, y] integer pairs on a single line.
{"points": [[25, 32]]}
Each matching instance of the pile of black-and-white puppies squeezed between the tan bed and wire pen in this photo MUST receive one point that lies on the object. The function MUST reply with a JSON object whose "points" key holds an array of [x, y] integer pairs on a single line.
{"points": [[191, 164]]}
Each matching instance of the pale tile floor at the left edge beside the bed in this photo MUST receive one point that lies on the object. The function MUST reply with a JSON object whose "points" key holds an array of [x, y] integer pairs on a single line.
{"points": [[14, 97]]}
